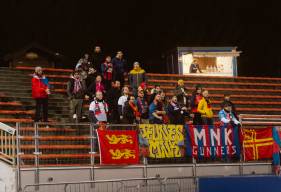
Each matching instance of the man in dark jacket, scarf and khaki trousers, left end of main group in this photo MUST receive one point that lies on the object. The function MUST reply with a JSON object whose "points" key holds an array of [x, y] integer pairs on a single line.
{"points": [[76, 89]]}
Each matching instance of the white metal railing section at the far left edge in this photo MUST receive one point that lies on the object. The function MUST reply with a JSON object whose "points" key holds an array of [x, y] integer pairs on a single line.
{"points": [[8, 144]]}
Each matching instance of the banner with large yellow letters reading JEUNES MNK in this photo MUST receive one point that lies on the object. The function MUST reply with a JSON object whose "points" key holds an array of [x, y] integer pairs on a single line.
{"points": [[163, 141]]}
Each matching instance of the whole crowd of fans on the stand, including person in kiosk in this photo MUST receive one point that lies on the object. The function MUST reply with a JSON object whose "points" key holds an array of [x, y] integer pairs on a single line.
{"points": [[100, 79]]}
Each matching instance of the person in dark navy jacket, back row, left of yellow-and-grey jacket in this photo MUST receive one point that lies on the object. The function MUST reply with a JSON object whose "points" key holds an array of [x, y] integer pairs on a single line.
{"points": [[119, 67]]}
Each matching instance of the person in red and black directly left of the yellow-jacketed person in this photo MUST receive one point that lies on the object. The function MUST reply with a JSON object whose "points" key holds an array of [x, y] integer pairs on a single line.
{"points": [[194, 101]]}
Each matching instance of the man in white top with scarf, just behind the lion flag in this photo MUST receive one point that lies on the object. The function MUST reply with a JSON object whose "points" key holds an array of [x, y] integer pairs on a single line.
{"points": [[98, 109]]}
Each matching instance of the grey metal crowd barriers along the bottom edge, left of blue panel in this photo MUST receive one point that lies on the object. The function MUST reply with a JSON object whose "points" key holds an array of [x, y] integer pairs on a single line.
{"points": [[155, 184]]}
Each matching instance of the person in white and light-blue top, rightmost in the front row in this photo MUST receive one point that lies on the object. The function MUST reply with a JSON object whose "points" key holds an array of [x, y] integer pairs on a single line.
{"points": [[226, 116]]}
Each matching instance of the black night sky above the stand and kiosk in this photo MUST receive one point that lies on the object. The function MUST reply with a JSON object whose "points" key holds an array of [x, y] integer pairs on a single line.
{"points": [[146, 29]]}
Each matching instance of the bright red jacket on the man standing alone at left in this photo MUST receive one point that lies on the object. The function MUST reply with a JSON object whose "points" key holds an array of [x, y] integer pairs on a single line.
{"points": [[38, 88]]}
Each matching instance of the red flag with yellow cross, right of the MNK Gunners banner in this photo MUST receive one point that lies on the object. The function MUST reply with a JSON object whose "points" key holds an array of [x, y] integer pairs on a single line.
{"points": [[257, 143]]}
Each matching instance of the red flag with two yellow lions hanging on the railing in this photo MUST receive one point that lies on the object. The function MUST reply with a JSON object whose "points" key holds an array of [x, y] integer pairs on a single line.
{"points": [[118, 147]]}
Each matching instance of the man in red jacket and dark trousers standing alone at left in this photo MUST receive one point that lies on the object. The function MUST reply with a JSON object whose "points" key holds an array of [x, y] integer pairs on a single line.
{"points": [[40, 92]]}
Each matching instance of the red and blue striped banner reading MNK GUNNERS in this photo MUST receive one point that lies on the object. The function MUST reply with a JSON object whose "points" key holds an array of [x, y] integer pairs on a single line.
{"points": [[212, 141]]}
